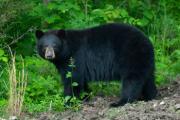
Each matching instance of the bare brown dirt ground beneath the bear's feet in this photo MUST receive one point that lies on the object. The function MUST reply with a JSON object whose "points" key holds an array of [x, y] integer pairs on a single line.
{"points": [[165, 107]]}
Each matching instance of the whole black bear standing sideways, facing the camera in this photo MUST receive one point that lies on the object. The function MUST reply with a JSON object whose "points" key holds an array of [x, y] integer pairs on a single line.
{"points": [[107, 52]]}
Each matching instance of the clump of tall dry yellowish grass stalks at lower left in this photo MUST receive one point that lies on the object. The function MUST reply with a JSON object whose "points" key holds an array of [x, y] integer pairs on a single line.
{"points": [[17, 86]]}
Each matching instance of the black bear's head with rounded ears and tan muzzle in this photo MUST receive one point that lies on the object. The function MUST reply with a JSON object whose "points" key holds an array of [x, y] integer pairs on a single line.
{"points": [[50, 44]]}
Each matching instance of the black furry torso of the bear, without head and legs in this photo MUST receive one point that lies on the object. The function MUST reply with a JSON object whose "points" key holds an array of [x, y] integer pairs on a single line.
{"points": [[112, 49]]}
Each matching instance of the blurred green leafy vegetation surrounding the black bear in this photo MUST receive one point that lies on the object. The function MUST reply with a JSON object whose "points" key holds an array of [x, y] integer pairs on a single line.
{"points": [[160, 20]]}
